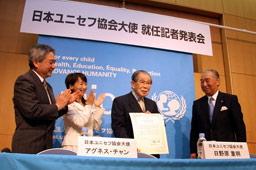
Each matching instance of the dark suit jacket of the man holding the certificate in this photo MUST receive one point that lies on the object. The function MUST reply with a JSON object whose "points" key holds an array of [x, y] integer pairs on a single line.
{"points": [[122, 106]]}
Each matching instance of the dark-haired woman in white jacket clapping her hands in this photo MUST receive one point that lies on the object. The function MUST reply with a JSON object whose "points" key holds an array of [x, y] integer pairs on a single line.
{"points": [[84, 112]]}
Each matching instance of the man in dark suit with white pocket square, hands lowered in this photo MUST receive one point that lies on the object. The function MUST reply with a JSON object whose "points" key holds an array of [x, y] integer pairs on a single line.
{"points": [[224, 123]]}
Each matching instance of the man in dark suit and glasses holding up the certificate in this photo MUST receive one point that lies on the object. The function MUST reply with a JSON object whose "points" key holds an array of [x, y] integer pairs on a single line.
{"points": [[129, 103]]}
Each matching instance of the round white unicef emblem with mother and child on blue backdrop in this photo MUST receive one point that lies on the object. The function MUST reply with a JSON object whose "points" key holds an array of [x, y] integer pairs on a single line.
{"points": [[170, 105]]}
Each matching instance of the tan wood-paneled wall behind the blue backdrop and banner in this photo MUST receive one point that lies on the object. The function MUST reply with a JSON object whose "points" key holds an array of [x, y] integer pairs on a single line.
{"points": [[233, 52]]}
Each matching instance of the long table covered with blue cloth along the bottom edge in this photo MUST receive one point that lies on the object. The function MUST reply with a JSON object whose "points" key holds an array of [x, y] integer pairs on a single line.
{"points": [[62, 162]]}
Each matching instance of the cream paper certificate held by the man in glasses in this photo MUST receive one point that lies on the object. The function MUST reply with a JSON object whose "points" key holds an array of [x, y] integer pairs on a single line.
{"points": [[149, 133]]}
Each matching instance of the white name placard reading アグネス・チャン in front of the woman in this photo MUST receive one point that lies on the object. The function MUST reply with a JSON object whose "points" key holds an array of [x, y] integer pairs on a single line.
{"points": [[106, 147]]}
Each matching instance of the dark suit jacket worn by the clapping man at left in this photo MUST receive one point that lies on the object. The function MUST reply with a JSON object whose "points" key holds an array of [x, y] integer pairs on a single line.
{"points": [[34, 115]]}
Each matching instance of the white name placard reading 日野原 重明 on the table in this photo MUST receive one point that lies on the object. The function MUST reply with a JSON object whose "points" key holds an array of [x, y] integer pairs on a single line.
{"points": [[225, 150]]}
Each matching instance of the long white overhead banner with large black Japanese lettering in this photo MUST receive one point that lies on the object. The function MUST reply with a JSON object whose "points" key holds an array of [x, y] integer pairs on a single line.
{"points": [[118, 25]]}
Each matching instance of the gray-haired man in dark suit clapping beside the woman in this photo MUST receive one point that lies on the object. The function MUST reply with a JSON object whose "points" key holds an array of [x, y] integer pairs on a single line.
{"points": [[35, 107]]}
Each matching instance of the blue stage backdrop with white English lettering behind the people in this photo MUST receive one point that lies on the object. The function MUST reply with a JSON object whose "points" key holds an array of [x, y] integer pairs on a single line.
{"points": [[109, 68]]}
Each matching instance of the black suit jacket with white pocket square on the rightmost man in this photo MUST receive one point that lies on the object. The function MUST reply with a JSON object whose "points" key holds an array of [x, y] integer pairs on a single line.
{"points": [[227, 123]]}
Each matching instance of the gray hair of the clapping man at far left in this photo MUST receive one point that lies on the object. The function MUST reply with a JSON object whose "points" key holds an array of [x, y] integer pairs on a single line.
{"points": [[38, 53]]}
